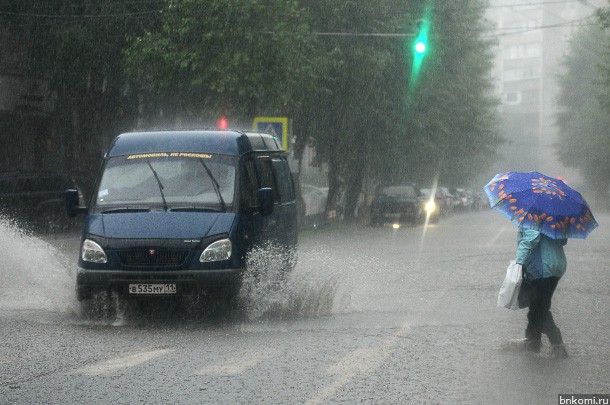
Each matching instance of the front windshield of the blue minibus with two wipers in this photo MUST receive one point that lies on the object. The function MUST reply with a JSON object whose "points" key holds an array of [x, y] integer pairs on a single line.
{"points": [[177, 181]]}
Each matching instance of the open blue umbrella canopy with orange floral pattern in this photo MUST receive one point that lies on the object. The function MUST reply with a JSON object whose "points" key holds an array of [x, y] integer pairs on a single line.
{"points": [[535, 201]]}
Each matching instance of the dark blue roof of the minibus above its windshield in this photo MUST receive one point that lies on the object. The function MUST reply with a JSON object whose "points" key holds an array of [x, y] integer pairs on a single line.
{"points": [[202, 141]]}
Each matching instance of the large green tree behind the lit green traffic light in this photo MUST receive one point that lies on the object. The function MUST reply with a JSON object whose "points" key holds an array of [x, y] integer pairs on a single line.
{"points": [[381, 125]]}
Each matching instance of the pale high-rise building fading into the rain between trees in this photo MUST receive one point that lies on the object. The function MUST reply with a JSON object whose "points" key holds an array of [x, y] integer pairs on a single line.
{"points": [[533, 36]]}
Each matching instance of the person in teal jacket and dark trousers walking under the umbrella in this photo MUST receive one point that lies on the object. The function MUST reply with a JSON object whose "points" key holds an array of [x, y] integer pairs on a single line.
{"points": [[544, 263]]}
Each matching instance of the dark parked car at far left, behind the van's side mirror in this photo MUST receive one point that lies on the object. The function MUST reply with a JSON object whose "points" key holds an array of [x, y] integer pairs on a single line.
{"points": [[35, 200]]}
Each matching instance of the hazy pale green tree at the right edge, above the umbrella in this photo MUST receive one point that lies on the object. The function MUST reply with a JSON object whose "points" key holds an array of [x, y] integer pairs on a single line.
{"points": [[584, 119]]}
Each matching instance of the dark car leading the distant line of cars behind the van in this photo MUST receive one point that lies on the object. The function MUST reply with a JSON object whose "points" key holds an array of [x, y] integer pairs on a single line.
{"points": [[398, 204]]}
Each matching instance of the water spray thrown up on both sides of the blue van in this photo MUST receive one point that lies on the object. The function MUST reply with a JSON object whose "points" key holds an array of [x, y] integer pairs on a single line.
{"points": [[39, 276]]}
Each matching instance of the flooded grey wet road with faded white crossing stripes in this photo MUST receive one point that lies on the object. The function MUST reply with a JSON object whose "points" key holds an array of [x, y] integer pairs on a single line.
{"points": [[371, 315]]}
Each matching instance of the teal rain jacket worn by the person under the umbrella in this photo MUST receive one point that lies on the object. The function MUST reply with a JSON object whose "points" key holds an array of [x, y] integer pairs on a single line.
{"points": [[541, 256]]}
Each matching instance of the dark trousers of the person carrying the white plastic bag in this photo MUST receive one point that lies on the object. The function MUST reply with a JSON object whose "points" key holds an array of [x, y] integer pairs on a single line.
{"points": [[539, 317]]}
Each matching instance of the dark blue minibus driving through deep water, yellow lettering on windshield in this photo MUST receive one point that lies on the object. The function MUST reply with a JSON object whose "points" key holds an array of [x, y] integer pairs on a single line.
{"points": [[177, 212]]}
